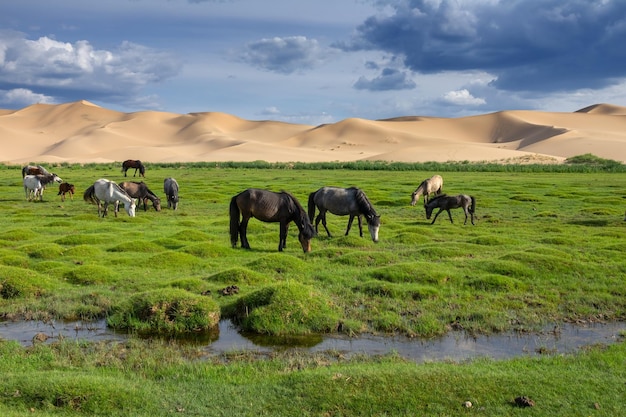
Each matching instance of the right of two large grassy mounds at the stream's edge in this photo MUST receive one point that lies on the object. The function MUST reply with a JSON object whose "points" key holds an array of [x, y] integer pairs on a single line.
{"points": [[287, 308]]}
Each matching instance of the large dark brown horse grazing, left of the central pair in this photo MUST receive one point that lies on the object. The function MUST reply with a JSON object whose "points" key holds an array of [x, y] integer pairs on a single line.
{"points": [[269, 206]]}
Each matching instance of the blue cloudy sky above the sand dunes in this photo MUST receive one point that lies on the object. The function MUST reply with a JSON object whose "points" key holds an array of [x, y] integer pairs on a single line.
{"points": [[315, 62]]}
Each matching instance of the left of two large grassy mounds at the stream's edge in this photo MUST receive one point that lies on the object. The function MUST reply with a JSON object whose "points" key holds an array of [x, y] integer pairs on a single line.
{"points": [[166, 311]]}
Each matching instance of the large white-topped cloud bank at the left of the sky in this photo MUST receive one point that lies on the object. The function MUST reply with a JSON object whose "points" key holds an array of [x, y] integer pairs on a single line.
{"points": [[70, 71]]}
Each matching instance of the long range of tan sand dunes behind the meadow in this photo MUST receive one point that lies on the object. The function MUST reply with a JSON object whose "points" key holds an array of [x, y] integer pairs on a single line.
{"points": [[81, 132]]}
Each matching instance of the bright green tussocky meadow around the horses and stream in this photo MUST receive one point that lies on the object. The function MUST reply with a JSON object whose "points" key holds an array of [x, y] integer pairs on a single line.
{"points": [[547, 249]]}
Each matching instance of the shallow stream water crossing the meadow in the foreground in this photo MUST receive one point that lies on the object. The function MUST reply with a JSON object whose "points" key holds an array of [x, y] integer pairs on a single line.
{"points": [[455, 346]]}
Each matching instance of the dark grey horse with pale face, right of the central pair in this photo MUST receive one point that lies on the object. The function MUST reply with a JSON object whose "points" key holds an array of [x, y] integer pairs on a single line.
{"points": [[341, 202]]}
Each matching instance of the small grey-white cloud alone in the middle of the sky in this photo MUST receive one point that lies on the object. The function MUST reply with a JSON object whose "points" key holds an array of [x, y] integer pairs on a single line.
{"points": [[284, 55]]}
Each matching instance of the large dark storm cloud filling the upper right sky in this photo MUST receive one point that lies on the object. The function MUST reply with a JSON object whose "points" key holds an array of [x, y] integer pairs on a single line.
{"points": [[528, 44]]}
